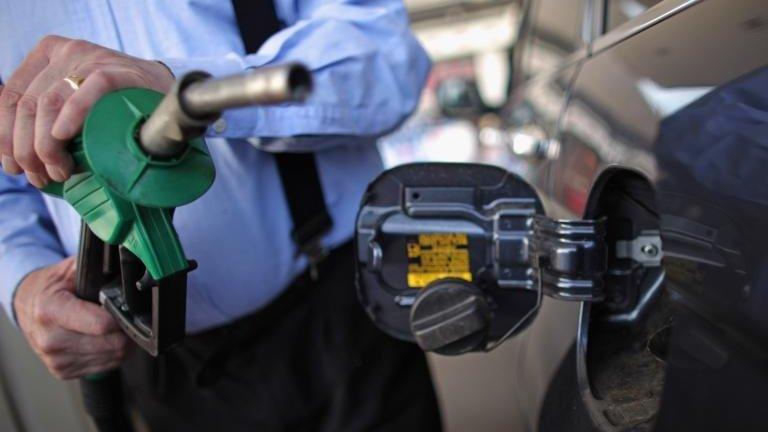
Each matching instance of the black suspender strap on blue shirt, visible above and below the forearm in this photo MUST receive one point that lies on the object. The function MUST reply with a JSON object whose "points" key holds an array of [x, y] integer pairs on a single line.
{"points": [[257, 21]]}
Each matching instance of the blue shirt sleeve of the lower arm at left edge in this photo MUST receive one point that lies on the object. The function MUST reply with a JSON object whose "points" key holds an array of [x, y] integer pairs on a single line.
{"points": [[27, 236]]}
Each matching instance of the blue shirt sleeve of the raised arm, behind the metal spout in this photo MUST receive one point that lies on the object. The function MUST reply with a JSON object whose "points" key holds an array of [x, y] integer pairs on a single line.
{"points": [[368, 71]]}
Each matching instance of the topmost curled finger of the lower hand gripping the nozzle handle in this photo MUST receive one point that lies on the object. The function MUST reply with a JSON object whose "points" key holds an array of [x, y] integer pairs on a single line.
{"points": [[82, 316]]}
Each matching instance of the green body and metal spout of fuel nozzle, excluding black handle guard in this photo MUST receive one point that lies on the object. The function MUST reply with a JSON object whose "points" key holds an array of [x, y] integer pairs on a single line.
{"points": [[141, 154]]}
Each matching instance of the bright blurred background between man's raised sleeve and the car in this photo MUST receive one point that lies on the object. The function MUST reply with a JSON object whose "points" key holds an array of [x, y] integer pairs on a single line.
{"points": [[471, 46]]}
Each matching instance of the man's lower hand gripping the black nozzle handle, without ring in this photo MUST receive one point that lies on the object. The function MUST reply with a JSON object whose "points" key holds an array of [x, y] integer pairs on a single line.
{"points": [[73, 337]]}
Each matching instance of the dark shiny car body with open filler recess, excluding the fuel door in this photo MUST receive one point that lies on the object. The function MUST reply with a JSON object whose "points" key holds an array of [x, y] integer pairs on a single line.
{"points": [[657, 122]]}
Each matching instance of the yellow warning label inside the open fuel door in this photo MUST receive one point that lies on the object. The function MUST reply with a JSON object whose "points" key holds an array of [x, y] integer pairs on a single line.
{"points": [[437, 256]]}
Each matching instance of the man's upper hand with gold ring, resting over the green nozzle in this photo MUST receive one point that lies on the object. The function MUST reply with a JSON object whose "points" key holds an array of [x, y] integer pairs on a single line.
{"points": [[40, 112]]}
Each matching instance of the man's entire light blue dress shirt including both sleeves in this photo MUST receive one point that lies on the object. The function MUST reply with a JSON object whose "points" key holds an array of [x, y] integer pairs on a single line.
{"points": [[368, 72]]}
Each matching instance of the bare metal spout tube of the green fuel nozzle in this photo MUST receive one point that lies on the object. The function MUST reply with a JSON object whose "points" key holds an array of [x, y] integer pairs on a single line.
{"points": [[196, 101]]}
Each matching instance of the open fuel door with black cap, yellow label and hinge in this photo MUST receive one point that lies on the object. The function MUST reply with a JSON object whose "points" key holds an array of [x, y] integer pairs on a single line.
{"points": [[456, 257]]}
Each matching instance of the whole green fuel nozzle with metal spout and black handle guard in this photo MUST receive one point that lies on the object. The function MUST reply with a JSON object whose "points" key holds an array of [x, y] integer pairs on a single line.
{"points": [[141, 155]]}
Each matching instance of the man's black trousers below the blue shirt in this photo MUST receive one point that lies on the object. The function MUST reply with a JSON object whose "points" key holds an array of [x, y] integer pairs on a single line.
{"points": [[310, 361]]}
